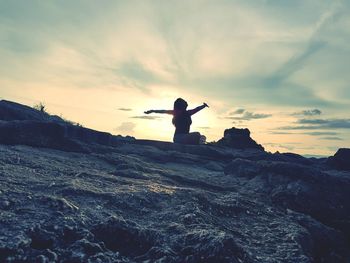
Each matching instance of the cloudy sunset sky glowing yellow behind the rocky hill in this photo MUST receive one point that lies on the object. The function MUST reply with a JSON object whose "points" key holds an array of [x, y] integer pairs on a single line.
{"points": [[279, 68]]}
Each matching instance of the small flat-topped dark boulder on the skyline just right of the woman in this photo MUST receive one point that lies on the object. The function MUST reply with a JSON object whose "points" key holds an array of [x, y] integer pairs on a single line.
{"points": [[238, 139]]}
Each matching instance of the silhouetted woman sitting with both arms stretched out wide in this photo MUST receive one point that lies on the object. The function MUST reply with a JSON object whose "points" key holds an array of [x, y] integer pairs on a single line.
{"points": [[182, 121]]}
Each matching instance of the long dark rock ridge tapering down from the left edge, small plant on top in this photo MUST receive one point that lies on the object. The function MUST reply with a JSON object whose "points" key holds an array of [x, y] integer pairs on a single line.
{"points": [[20, 124]]}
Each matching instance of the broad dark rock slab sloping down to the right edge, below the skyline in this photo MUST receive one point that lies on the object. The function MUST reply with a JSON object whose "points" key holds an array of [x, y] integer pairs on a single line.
{"points": [[299, 187]]}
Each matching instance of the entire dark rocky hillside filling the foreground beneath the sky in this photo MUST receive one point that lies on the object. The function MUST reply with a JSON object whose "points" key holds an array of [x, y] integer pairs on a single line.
{"points": [[72, 194]]}
